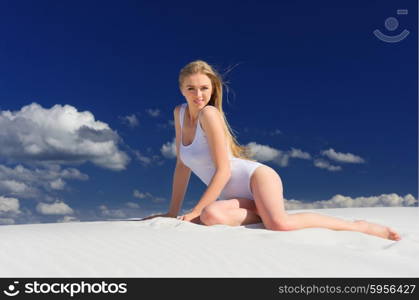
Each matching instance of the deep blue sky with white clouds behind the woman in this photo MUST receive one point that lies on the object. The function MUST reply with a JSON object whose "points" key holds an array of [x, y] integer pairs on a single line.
{"points": [[87, 91]]}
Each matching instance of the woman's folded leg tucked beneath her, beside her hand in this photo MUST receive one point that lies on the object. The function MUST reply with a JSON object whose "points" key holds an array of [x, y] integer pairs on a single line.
{"points": [[233, 212]]}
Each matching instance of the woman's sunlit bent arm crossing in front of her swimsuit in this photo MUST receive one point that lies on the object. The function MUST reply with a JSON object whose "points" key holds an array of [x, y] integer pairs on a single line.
{"points": [[213, 126]]}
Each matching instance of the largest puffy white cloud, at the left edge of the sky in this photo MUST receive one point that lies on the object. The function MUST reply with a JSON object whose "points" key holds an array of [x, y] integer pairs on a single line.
{"points": [[60, 134]]}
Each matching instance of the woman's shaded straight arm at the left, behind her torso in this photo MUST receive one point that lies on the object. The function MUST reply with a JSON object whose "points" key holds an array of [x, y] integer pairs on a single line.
{"points": [[181, 175]]}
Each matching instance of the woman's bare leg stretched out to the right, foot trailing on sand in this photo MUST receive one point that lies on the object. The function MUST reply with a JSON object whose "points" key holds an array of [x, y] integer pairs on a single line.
{"points": [[268, 194]]}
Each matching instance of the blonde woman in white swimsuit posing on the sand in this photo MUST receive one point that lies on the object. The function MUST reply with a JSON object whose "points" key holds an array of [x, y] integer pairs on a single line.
{"points": [[239, 190]]}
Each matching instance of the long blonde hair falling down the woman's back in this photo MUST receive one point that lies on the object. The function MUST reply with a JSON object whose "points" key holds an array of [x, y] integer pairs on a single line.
{"points": [[202, 67]]}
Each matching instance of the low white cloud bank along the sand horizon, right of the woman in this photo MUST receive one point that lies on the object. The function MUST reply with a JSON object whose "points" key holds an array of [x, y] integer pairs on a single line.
{"points": [[340, 201]]}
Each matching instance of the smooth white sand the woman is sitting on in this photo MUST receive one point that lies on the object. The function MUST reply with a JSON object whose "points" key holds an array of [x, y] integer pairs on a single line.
{"points": [[167, 247]]}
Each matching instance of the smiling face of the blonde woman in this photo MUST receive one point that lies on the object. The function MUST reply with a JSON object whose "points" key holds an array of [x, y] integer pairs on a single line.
{"points": [[197, 89]]}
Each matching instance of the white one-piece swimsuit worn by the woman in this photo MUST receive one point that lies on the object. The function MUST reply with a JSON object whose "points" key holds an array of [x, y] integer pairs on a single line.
{"points": [[197, 157]]}
